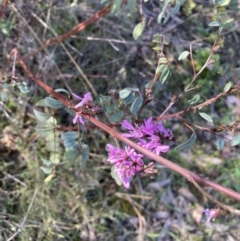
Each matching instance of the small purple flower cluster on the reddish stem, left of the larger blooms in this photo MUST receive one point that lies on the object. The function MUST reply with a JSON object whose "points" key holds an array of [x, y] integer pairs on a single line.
{"points": [[86, 105]]}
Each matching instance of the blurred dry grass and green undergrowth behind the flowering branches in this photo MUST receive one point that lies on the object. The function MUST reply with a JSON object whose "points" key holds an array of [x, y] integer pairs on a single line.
{"points": [[84, 202]]}
